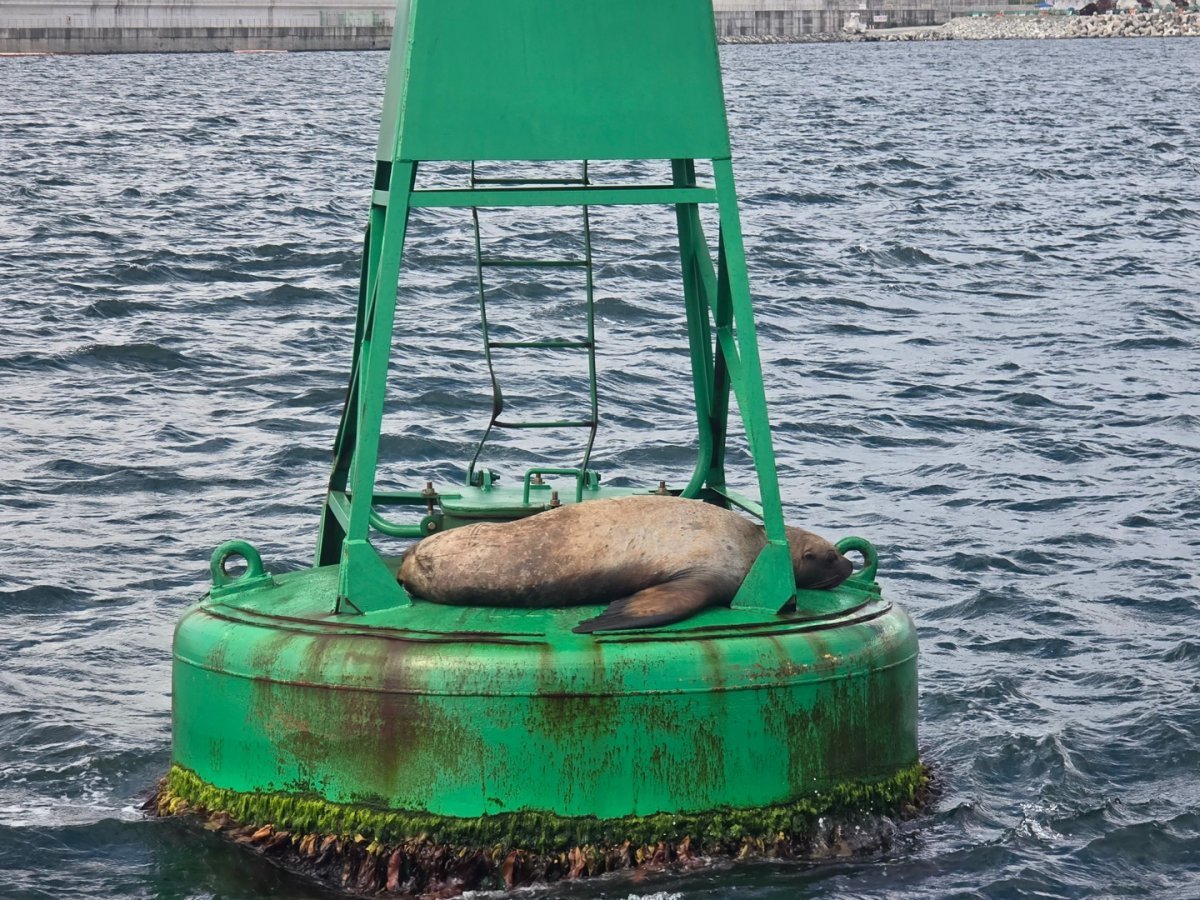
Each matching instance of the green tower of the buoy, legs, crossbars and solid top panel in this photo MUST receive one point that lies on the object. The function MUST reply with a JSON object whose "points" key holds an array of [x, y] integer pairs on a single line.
{"points": [[535, 81]]}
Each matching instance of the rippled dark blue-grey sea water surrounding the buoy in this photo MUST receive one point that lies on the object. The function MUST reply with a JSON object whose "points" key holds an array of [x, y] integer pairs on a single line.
{"points": [[977, 268]]}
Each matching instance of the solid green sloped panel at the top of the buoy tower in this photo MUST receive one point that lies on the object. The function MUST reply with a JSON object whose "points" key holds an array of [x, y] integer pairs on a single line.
{"points": [[544, 80]]}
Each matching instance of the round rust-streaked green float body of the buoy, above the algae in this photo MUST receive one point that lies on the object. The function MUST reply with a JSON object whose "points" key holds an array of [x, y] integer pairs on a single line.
{"points": [[469, 712]]}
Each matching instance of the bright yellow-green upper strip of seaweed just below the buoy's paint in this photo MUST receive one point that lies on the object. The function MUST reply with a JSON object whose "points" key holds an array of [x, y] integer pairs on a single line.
{"points": [[183, 791]]}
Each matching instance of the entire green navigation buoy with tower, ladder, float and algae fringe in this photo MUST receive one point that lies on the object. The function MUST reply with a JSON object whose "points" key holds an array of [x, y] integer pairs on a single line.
{"points": [[394, 745]]}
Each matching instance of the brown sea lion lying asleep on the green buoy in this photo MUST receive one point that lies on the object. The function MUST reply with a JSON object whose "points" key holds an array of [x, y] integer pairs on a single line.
{"points": [[653, 560]]}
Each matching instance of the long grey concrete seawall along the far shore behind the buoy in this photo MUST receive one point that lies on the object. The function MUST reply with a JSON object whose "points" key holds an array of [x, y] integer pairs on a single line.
{"points": [[197, 26]]}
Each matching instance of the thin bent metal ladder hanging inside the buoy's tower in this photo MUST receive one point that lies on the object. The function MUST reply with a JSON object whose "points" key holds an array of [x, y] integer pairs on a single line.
{"points": [[482, 478]]}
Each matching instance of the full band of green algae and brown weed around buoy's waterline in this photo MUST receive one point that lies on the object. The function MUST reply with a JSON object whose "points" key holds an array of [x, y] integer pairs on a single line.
{"points": [[363, 850]]}
